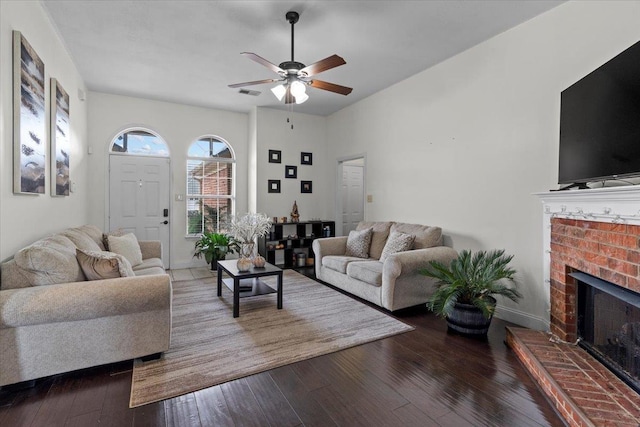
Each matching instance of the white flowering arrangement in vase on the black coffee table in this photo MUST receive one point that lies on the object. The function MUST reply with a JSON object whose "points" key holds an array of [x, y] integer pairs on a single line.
{"points": [[246, 230]]}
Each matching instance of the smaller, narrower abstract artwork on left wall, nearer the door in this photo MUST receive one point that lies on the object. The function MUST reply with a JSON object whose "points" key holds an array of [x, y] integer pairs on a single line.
{"points": [[60, 140]]}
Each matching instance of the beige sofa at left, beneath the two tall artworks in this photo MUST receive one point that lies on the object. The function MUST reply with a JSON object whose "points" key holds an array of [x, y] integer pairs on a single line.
{"points": [[53, 320]]}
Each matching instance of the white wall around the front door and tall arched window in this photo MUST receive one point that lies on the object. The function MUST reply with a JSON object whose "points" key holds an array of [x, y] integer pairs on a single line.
{"points": [[179, 125]]}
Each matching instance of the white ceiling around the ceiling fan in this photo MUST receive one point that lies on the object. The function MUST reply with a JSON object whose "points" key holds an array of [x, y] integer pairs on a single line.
{"points": [[189, 51]]}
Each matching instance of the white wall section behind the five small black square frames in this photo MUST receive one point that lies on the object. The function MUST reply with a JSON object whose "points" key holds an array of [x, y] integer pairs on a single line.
{"points": [[308, 135]]}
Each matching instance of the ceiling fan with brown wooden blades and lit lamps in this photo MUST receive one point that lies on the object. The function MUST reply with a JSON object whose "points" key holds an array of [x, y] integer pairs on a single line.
{"points": [[295, 76]]}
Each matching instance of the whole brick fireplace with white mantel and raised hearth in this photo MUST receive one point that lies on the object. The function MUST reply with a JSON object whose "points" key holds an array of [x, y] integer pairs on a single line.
{"points": [[595, 231]]}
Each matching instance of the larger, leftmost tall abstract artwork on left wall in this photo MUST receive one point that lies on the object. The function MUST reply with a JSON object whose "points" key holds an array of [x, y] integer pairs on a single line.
{"points": [[29, 123]]}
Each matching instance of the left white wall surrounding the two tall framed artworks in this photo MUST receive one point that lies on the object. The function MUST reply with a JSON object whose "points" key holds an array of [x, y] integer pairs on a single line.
{"points": [[26, 218]]}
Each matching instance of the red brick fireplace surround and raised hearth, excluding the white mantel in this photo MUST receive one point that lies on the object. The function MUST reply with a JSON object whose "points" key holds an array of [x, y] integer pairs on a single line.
{"points": [[583, 391]]}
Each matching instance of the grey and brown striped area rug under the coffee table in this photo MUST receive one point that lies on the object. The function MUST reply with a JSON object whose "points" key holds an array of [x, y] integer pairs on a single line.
{"points": [[210, 347]]}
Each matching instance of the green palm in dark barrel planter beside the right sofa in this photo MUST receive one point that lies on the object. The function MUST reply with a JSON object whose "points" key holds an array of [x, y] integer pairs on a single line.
{"points": [[465, 289]]}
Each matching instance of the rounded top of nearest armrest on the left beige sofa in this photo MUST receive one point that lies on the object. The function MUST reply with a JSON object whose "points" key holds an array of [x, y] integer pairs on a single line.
{"points": [[84, 300]]}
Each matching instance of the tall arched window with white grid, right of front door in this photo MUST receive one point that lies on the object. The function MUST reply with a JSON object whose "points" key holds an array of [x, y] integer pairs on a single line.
{"points": [[210, 186]]}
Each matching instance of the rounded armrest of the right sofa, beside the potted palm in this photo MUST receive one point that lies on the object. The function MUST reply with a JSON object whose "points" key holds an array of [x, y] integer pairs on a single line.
{"points": [[401, 279]]}
